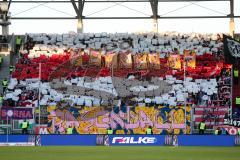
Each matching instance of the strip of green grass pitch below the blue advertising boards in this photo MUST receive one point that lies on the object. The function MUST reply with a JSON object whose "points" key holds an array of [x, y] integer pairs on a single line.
{"points": [[119, 153]]}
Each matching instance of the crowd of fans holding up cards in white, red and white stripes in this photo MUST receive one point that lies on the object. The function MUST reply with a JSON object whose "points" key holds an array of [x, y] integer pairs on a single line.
{"points": [[207, 85]]}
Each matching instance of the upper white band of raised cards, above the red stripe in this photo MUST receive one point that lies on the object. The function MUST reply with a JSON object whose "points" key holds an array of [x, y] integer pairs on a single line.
{"points": [[49, 44]]}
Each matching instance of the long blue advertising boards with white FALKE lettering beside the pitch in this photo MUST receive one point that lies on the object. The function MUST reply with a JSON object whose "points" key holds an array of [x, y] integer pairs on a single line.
{"points": [[117, 140]]}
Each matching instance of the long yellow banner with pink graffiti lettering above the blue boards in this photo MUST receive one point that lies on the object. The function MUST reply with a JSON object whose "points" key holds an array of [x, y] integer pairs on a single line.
{"points": [[130, 120]]}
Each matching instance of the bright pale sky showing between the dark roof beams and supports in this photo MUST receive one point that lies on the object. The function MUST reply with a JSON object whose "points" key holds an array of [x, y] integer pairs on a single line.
{"points": [[123, 10]]}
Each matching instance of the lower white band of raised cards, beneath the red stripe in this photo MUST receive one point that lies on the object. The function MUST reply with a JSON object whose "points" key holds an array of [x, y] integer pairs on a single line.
{"points": [[51, 96]]}
